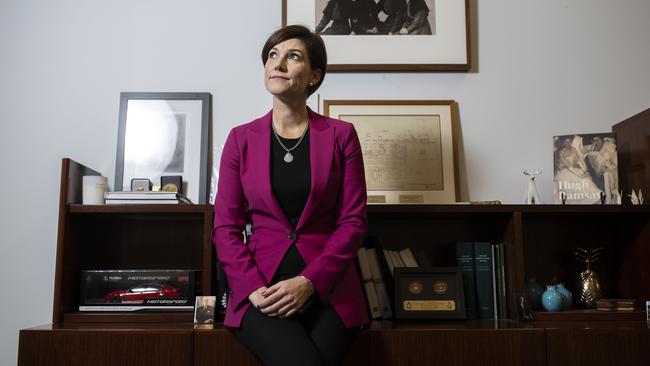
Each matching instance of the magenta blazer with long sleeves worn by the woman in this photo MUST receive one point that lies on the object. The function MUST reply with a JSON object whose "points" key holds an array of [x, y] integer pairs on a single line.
{"points": [[329, 231]]}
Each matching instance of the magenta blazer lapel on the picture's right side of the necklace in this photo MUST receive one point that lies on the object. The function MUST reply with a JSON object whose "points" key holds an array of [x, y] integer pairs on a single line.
{"points": [[321, 150]]}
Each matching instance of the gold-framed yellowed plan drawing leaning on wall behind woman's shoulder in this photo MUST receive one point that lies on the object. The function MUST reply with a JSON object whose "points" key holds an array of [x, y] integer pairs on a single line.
{"points": [[409, 148]]}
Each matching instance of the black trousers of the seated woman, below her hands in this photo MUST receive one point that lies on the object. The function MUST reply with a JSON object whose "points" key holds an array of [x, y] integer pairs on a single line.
{"points": [[315, 337]]}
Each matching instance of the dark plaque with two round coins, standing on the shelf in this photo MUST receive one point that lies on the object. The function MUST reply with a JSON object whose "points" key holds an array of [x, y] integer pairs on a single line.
{"points": [[429, 293]]}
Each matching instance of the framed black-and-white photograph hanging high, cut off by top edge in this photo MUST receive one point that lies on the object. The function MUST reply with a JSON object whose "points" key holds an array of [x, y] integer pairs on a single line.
{"points": [[387, 34]]}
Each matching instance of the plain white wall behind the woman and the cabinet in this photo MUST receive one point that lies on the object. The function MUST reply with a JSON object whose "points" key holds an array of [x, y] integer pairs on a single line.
{"points": [[543, 68]]}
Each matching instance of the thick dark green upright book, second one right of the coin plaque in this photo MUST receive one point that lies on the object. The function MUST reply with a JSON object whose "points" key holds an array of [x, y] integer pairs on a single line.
{"points": [[483, 275]]}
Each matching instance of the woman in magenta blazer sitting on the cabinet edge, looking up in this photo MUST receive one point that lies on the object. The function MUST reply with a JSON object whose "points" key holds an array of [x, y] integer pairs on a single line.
{"points": [[298, 178]]}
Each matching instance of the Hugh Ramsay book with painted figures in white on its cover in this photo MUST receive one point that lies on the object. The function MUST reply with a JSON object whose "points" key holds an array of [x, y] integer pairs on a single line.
{"points": [[585, 168]]}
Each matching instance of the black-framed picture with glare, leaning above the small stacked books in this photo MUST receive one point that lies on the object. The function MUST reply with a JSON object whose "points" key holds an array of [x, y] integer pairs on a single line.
{"points": [[164, 134]]}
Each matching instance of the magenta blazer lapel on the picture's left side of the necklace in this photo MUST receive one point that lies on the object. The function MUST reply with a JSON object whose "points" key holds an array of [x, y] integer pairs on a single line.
{"points": [[259, 147]]}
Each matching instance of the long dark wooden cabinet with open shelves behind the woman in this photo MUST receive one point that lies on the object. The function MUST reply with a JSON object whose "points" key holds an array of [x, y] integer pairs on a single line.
{"points": [[539, 242]]}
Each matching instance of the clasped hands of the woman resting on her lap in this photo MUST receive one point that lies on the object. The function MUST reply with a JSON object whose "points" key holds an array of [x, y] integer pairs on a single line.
{"points": [[283, 299]]}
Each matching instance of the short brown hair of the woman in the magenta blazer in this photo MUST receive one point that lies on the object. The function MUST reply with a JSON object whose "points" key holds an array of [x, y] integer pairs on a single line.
{"points": [[313, 44]]}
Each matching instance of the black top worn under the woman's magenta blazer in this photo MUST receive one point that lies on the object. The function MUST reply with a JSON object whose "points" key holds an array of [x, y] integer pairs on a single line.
{"points": [[291, 184]]}
